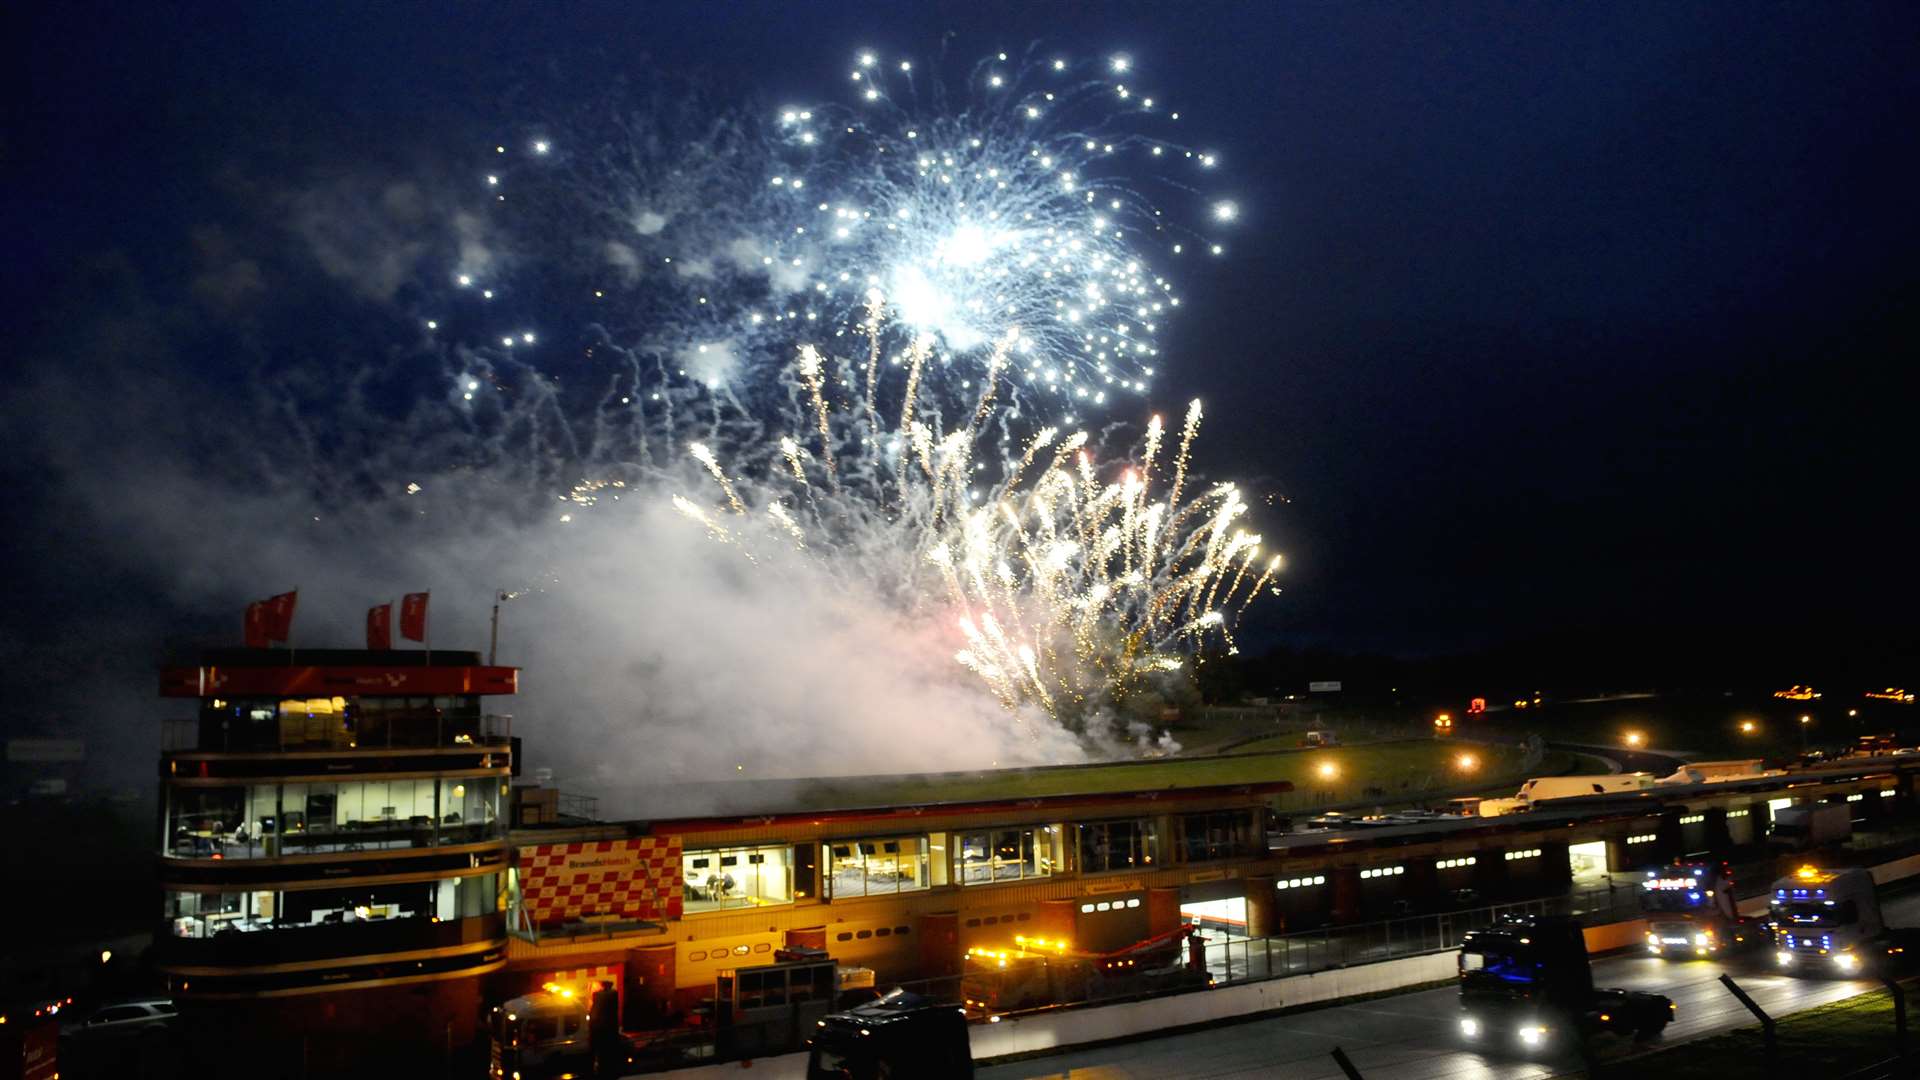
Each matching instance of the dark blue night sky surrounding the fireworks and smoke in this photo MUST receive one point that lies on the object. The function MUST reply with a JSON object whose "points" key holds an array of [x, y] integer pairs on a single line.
{"points": [[1548, 324]]}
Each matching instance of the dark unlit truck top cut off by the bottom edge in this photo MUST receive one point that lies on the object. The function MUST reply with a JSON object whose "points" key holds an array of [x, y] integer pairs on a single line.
{"points": [[894, 1037]]}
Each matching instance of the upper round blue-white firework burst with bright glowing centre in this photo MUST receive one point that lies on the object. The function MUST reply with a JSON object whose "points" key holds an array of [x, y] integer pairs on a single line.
{"points": [[1024, 207]]}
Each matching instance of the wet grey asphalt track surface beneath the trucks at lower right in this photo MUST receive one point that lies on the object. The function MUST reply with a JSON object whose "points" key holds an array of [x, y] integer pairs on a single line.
{"points": [[1414, 1037]]}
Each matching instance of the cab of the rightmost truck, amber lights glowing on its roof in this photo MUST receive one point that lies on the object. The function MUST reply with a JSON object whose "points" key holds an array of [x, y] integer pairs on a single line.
{"points": [[1825, 921]]}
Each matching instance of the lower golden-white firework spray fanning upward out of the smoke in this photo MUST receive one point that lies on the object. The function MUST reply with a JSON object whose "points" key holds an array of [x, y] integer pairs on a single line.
{"points": [[1068, 589]]}
